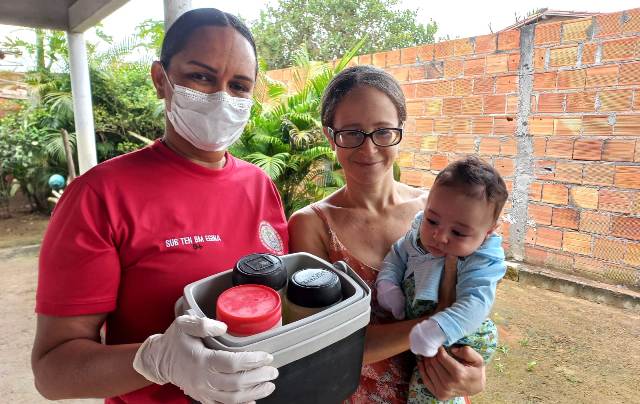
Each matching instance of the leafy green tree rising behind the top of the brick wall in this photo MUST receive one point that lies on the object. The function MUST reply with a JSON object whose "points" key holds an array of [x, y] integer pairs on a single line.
{"points": [[327, 27]]}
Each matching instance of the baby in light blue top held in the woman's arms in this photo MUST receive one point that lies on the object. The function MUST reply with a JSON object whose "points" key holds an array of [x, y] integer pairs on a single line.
{"points": [[459, 219]]}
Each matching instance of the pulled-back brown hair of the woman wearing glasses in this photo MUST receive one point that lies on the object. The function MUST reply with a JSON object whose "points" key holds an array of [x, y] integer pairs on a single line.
{"points": [[360, 76]]}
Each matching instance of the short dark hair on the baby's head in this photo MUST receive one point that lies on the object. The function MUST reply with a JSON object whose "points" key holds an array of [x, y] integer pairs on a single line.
{"points": [[475, 178]]}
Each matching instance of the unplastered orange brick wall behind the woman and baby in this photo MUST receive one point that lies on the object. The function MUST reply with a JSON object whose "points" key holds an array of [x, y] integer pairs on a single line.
{"points": [[556, 109]]}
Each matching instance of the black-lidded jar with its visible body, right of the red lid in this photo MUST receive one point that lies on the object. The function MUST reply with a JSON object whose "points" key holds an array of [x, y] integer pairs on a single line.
{"points": [[311, 291]]}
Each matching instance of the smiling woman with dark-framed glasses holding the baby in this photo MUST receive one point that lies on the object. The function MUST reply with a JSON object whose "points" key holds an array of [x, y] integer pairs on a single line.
{"points": [[363, 113]]}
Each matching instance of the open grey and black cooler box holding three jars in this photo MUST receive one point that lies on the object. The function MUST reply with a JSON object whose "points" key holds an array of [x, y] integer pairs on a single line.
{"points": [[318, 357]]}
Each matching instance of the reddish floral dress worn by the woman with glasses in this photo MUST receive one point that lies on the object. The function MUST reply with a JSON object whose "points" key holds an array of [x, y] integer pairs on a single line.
{"points": [[386, 381]]}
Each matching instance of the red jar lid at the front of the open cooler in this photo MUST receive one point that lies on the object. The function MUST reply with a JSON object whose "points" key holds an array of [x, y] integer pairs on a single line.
{"points": [[248, 309]]}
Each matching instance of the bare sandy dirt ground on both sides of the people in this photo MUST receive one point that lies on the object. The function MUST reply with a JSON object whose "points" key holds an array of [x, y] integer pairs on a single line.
{"points": [[554, 348]]}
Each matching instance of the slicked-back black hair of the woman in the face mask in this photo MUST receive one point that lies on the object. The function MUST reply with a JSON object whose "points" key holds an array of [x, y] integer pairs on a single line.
{"points": [[178, 34]]}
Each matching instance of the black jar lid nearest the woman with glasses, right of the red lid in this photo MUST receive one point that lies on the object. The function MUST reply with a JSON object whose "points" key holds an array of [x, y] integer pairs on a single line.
{"points": [[314, 287]]}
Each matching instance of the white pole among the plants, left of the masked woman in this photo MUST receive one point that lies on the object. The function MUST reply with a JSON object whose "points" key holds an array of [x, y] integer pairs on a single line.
{"points": [[82, 107]]}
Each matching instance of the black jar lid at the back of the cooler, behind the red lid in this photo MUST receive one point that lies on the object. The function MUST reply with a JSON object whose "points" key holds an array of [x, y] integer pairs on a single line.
{"points": [[260, 269]]}
